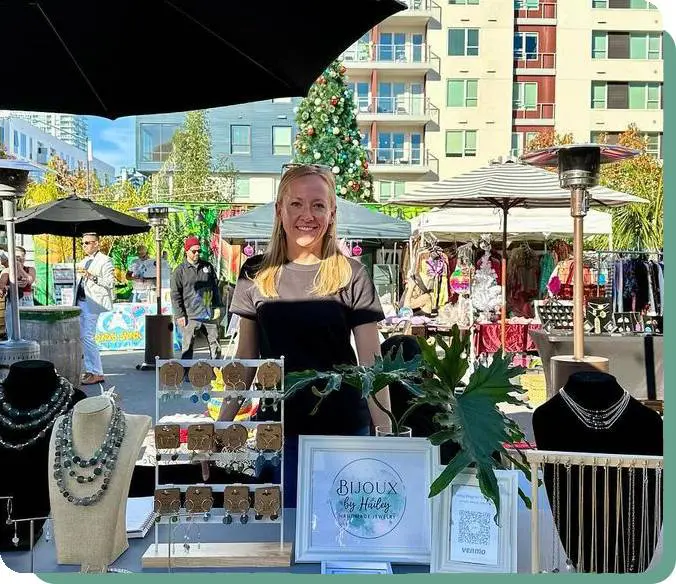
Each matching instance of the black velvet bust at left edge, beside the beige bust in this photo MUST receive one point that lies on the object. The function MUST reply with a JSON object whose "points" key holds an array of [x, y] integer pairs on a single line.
{"points": [[28, 385]]}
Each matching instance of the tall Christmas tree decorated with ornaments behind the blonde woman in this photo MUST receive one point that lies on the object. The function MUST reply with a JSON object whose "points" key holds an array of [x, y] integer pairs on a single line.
{"points": [[328, 134]]}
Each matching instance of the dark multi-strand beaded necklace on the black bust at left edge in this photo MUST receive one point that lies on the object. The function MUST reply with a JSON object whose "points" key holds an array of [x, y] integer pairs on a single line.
{"points": [[64, 395]]}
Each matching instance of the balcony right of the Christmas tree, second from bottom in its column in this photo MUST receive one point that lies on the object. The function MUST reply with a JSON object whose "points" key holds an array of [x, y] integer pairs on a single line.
{"points": [[398, 110]]}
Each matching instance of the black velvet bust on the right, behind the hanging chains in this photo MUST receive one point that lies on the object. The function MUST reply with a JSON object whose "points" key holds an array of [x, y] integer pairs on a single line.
{"points": [[638, 430]]}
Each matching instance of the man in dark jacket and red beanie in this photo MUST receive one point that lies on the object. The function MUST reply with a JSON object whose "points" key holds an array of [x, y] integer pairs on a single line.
{"points": [[196, 300]]}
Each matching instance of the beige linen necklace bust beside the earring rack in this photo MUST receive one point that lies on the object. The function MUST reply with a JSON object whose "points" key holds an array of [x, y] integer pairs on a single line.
{"points": [[102, 523]]}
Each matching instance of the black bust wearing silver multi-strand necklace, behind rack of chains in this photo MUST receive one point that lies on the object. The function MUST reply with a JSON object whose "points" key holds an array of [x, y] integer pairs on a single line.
{"points": [[594, 415]]}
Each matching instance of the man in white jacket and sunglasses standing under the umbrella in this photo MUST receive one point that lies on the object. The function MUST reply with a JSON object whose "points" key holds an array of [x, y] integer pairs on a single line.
{"points": [[93, 294]]}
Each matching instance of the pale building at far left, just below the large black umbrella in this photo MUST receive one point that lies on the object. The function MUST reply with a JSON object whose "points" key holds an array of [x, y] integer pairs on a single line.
{"points": [[24, 141]]}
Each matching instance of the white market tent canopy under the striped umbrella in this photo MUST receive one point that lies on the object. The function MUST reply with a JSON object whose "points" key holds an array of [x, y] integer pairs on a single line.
{"points": [[532, 224]]}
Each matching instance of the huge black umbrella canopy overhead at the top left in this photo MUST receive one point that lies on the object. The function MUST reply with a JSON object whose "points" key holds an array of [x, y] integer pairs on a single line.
{"points": [[187, 54]]}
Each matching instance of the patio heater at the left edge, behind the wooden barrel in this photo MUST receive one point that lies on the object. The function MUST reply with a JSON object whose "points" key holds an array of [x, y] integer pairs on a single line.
{"points": [[13, 181]]}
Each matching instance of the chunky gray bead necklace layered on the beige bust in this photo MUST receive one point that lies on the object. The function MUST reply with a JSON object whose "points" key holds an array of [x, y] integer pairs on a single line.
{"points": [[70, 465]]}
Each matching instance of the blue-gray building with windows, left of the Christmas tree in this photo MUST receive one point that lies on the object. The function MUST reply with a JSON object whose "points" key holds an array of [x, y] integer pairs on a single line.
{"points": [[256, 137]]}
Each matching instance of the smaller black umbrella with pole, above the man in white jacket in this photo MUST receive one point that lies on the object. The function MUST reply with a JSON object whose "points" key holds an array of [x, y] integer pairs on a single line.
{"points": [[75, 216]]}
